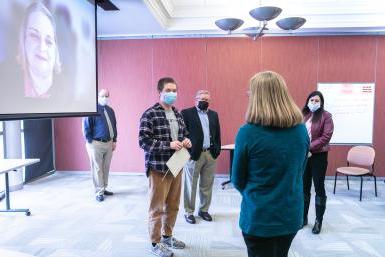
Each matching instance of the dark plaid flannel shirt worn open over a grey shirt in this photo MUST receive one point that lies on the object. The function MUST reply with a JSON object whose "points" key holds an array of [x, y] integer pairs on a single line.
{"points": [[155, 137]]}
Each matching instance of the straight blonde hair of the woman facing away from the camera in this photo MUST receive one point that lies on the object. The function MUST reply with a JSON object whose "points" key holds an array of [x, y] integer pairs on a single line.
{"points": [[270, 103]]}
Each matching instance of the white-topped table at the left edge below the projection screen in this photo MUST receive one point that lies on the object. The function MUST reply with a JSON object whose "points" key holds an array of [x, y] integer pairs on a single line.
{"points": [[7, 165]]}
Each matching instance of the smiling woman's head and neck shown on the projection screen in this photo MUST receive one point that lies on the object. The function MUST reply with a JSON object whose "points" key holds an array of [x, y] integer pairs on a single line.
{"points": [[39, 53]]}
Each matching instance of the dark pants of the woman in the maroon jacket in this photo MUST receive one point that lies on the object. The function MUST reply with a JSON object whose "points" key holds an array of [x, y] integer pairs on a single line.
{"points": [[315, 168]]}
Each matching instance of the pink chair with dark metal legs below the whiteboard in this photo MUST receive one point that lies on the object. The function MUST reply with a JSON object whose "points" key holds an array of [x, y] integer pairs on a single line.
{"points": [[362, 156]]}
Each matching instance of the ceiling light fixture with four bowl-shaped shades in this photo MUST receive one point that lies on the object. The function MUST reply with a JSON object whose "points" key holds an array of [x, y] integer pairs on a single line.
{"points": [[263, 15]]}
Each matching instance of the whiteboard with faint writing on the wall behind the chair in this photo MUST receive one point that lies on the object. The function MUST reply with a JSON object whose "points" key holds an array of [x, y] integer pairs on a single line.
{"points": [[352, 107]]}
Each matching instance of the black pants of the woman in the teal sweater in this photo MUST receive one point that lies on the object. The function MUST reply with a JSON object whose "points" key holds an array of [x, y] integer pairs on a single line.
{"points": [[277, 246]]}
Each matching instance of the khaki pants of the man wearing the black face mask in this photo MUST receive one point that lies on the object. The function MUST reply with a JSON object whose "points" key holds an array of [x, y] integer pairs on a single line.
{"points": [[204, 170]]}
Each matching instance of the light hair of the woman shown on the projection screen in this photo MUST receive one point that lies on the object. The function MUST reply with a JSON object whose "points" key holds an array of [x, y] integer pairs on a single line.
{"points": [[37, 7]]}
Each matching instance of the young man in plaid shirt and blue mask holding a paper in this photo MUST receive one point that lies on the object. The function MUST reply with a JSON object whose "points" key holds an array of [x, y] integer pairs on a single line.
{"points": [[162, 132]]}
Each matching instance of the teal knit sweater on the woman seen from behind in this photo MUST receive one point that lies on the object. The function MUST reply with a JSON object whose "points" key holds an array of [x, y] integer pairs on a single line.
{"points": [[267, 170]]}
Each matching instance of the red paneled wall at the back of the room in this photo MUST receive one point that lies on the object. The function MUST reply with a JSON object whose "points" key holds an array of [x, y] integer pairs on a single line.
{"points": [[131, 68]]}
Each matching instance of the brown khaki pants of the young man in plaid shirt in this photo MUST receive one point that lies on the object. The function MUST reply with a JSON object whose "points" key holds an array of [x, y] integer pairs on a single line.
{"points": [[164, 204]]}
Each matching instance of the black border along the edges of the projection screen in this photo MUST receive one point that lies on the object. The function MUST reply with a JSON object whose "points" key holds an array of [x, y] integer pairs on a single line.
{"points": [[24, 116]]}
